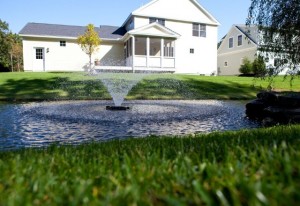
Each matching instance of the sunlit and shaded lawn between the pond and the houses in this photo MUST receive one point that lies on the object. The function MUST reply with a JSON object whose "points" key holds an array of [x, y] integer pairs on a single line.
{"points": [[68, 86]]}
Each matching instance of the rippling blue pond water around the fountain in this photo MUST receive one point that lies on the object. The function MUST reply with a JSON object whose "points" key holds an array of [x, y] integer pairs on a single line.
{"points": [[74, 122]]}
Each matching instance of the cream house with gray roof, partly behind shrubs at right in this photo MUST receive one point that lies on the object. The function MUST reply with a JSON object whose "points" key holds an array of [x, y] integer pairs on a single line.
{"points": [[241, 42]]}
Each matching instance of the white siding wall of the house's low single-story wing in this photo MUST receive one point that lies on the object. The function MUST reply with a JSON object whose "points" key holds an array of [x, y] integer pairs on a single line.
{"points": [[71, 57]]}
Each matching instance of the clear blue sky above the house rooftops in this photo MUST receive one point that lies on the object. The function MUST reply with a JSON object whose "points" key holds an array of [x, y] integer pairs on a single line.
{"points": [[105, 12]]}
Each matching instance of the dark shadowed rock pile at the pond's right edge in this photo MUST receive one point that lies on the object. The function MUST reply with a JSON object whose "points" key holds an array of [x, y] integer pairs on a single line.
{"points": [[273, 108]]}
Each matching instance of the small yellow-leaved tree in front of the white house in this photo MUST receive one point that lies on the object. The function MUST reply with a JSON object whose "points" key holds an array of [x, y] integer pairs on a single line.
{"points": [[89, 42]]}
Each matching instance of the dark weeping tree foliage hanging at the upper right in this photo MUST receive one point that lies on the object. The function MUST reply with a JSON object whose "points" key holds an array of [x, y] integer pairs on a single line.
{"points": [[278, 22]]}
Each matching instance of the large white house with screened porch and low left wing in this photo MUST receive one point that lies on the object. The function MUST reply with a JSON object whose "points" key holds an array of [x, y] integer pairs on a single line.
{"points": [[162, 35]]}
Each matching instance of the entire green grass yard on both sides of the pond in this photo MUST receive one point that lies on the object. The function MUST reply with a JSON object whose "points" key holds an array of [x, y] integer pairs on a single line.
{"points": [[247, 167]]}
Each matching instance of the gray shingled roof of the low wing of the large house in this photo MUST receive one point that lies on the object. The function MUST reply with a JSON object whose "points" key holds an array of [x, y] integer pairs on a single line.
{"points": [[40, 29]]}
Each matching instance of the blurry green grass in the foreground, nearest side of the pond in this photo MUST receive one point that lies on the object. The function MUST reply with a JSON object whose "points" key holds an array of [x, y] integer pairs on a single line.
{"points": [[258, 167]]}
